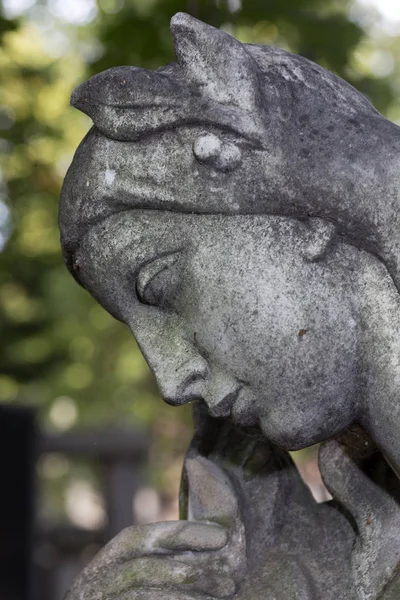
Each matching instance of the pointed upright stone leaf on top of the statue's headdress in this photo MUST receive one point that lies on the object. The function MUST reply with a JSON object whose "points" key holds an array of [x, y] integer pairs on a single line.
{"points": [[216, 61]]}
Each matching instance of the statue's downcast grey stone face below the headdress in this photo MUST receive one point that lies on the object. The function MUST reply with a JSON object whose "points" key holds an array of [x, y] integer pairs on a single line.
{"points": [[235, 311]]}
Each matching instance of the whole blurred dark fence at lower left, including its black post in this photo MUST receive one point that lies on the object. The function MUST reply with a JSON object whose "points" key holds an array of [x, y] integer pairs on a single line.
{"points": [[40, 562]]}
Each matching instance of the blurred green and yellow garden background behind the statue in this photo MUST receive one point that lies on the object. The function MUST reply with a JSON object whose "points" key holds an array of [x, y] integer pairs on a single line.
{"points": [[86, 445]]}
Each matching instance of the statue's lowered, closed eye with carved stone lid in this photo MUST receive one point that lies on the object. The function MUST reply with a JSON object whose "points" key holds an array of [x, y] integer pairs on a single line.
{"points": [[159, 279]]}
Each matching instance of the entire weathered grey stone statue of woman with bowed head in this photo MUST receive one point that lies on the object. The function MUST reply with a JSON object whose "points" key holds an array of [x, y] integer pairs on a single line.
{"points": [[239, 211]]}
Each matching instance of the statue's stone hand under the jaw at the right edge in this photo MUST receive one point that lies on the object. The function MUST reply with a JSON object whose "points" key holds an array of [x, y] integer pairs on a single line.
{"points": [[361, 480]]}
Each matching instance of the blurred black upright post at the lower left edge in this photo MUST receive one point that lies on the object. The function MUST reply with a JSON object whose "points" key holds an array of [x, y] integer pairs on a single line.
{"points": [[17, 459]]}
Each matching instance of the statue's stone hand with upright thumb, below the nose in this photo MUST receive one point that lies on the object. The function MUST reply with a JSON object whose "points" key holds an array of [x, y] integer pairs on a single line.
{"points": [[179, 560]]}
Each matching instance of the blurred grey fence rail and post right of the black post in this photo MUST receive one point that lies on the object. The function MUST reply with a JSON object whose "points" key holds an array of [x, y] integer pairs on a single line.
{"points": [[62, 552]]}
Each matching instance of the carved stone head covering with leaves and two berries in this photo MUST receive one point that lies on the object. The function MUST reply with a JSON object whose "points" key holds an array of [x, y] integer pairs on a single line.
{"points": [[234, 128]]}
